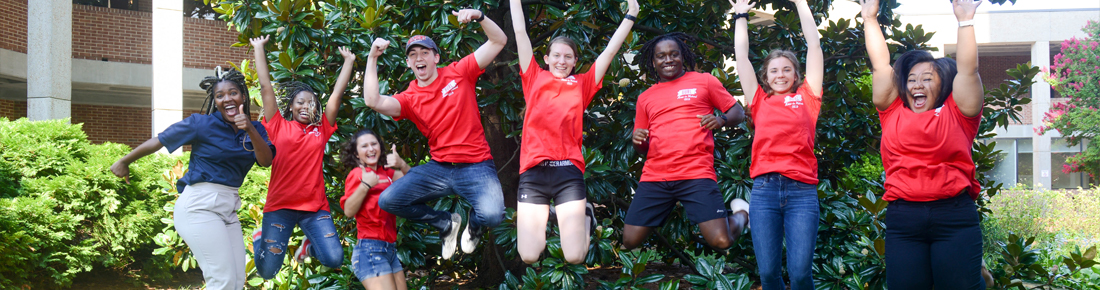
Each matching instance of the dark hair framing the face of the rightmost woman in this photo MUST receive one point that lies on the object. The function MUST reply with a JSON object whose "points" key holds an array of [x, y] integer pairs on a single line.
{"points": [[945, 70]]}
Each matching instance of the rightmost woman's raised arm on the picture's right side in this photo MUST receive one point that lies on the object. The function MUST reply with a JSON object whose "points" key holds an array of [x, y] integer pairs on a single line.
{"points": [[970, 94]]}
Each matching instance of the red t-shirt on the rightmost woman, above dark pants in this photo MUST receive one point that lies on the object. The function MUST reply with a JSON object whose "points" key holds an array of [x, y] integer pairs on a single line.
{"points": [[927, 157]]}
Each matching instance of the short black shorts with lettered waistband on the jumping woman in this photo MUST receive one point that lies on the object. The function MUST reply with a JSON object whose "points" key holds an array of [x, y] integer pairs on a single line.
{"points": [[558, 181]]}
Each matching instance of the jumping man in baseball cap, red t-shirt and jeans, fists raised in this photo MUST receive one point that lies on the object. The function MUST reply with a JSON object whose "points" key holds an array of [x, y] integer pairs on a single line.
{"points": [[444, 106]]}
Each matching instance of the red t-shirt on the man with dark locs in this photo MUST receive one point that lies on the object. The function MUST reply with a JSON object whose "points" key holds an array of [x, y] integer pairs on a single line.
{"points": [[679, 148]]}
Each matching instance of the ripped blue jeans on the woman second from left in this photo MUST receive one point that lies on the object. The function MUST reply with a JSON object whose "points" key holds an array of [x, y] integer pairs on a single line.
{"points": [[278, 227]]}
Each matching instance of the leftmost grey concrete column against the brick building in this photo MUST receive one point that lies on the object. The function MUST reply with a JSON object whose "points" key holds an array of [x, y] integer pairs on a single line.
{"points": [[49, 60]]}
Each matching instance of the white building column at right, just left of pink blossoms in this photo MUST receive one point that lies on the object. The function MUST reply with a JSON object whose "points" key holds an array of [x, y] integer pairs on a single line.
{"points": [[1041, 104]]}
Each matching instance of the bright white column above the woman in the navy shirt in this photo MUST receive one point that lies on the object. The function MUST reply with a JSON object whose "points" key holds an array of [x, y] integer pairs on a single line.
{"points": [[168, 64]]}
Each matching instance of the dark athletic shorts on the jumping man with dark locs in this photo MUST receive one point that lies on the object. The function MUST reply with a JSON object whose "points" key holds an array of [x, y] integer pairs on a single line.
{"points": [[654, 202]]}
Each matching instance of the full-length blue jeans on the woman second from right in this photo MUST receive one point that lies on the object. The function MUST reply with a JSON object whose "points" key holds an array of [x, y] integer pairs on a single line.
{"points": [[784, 210]]}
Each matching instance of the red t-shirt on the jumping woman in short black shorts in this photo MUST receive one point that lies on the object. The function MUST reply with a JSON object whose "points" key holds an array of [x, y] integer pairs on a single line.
{"points": [[554, 122]]}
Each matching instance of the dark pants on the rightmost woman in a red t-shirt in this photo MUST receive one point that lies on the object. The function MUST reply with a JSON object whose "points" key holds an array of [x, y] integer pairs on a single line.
{"points": [[937, 243]]}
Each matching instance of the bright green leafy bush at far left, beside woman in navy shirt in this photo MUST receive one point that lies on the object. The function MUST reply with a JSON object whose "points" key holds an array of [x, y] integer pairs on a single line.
{"points": [[63, 213]]}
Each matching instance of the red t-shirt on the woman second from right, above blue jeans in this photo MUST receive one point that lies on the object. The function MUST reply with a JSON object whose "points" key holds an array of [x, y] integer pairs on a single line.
{"points": [[784, 141]]}
